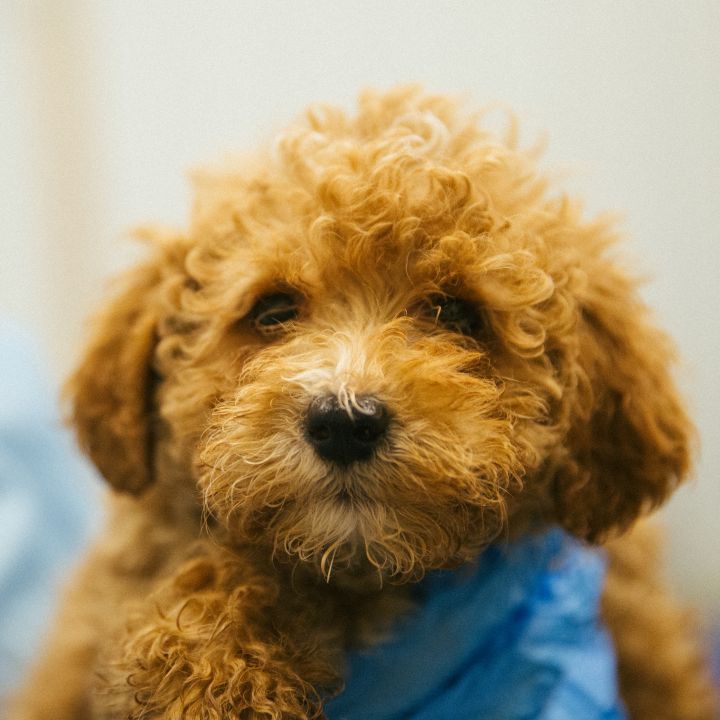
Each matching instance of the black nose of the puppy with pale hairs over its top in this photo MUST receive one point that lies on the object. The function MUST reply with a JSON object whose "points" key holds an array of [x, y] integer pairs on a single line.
{"points": [[345, 437]]}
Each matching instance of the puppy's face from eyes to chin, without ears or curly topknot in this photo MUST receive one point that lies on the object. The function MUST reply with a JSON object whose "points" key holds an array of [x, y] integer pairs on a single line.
{"points": [[356, 398]]}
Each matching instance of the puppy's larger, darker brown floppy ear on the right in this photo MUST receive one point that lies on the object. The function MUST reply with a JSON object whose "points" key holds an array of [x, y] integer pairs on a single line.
{"points": [[629, 445]]}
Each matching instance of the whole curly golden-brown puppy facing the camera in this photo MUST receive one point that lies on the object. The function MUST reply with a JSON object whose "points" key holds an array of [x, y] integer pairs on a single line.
{"points": [[378, 348]]}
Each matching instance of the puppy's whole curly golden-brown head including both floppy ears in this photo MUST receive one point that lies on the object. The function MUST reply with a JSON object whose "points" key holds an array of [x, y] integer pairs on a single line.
{"points": [[380, 346]]}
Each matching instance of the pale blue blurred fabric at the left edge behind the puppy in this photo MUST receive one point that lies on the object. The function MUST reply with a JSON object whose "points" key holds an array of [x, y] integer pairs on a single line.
{"points": [[47, 503]]}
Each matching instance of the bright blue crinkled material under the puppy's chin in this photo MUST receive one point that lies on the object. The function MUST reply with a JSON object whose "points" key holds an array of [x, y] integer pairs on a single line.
{"points": [[517, 636]]}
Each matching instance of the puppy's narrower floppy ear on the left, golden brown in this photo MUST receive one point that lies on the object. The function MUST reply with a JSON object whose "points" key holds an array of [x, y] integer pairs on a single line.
{"points": [[111, 392]]}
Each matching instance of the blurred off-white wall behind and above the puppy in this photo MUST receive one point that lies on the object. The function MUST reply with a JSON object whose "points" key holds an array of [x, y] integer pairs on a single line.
{"points": [[107, 104]]}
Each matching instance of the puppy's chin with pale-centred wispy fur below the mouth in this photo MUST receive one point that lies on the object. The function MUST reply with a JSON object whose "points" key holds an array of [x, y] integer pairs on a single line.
{"points": [[350, 539]]}
